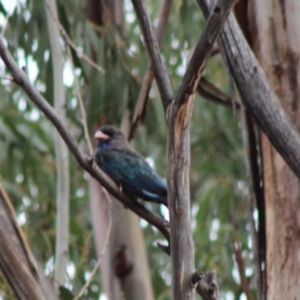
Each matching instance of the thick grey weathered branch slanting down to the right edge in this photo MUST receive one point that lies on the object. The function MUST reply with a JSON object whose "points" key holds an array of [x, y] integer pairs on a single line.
{"points": [[256, 93]]}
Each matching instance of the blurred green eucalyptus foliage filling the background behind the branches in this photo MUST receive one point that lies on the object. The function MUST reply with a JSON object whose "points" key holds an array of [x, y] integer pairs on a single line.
{"points": [[27, 163]]}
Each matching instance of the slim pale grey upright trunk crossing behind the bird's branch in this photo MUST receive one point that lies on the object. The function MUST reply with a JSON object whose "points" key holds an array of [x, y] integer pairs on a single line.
{"points": [[61, 150]]}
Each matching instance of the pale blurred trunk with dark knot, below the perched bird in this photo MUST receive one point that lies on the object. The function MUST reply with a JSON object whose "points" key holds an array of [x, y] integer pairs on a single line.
{"points": [[124, 267]]}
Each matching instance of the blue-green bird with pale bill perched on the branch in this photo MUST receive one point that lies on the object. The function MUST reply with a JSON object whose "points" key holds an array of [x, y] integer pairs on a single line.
{"points": [[127, 168]]}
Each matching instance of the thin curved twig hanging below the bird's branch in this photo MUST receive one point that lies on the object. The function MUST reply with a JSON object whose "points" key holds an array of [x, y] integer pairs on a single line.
{"points": [[108, 232]]}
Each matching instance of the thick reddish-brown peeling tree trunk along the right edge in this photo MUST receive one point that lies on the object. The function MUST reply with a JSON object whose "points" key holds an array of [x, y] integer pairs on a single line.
{"points": [[276, 31]]}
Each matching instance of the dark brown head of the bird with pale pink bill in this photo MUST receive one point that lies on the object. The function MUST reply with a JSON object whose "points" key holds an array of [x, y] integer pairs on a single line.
{"points": [[109, 136]]}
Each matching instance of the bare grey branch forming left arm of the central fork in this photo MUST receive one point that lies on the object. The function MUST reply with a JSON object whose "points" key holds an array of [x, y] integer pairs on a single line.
{"points": [[158, 66]]}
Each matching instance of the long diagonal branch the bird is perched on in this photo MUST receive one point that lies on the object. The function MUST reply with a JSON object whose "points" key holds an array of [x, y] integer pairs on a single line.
{"points": [[20, 78]]}
